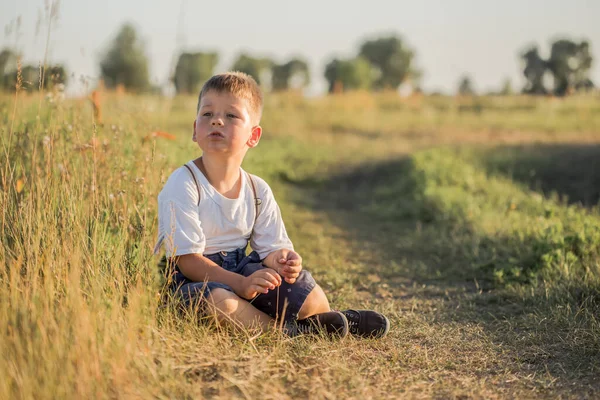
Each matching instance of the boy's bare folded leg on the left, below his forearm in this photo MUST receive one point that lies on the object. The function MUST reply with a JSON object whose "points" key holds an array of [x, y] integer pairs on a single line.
{"points": [[233, 310]]}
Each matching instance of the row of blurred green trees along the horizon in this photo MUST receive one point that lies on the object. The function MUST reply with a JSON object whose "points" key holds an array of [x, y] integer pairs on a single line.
{"points": [[379, 64]]}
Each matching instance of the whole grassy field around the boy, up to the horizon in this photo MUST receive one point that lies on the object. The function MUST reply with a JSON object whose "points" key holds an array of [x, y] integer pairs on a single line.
{"points": [[472, 223]]}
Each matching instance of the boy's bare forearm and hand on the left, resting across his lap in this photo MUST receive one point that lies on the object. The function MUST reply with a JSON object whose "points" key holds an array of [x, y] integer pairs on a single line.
{"points": [[198, 268]]}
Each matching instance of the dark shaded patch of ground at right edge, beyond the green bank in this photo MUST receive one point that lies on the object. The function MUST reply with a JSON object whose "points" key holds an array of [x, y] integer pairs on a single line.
{"points": [[570, 170]]}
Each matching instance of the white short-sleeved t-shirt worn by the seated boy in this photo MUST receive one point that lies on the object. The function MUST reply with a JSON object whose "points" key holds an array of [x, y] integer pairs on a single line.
{"points": [[217, 223]]}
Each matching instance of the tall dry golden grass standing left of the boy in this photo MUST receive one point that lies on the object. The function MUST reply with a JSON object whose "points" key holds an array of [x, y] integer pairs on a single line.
{"points": [[77, 284]]}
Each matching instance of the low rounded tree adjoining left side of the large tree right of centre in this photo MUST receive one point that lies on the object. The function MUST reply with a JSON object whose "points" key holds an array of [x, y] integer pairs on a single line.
{"points": [[349, 74]]}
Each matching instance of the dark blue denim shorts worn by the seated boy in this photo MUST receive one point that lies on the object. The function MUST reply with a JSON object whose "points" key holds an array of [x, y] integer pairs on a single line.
{"points": [[288, 296]]}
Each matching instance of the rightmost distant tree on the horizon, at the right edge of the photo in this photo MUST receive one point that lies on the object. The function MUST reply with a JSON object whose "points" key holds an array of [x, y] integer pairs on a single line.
{"points": [[570, 64]]}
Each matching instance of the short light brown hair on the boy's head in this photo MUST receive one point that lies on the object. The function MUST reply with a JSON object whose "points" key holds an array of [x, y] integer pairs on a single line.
{"points": [[240, 85]]}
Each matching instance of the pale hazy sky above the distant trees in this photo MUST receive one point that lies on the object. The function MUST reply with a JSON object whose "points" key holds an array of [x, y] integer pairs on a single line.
{"points": [[480, 38]]}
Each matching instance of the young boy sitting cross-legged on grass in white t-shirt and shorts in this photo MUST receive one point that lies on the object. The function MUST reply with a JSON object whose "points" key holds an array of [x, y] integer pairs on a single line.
{"points": [[210, 209]]}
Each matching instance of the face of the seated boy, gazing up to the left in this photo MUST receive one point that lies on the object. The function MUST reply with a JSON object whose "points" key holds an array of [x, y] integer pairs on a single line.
{"points": [[224, 125]]}
